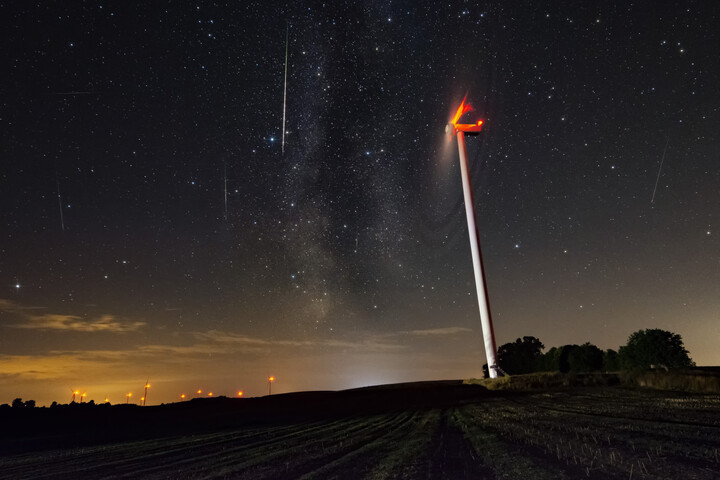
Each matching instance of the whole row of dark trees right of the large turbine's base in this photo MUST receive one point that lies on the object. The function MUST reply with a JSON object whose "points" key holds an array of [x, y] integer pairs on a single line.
{"points": [[651, 348]]}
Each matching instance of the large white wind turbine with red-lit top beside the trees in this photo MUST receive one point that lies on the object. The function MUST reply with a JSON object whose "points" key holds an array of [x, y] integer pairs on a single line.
{"points": [[459, 130]]}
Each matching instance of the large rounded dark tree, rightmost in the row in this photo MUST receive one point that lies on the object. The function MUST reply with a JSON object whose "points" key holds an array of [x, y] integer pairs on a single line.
{"points": [[654, 348]]}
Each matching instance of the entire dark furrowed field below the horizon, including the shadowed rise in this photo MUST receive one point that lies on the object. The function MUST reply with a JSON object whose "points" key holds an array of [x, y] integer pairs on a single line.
{"points": [[425, 430]]}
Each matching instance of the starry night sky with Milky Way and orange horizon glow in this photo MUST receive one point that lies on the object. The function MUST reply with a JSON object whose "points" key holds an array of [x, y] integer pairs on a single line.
{"points": [[151, 225]]}
